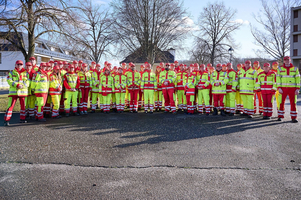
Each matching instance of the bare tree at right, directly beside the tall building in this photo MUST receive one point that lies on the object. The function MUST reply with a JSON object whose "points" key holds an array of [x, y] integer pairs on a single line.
{"points": [[274, 34]]}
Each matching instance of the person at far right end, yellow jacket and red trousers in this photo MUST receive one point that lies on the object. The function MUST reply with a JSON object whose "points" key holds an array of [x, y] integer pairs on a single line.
{"points": [[288, 83]]}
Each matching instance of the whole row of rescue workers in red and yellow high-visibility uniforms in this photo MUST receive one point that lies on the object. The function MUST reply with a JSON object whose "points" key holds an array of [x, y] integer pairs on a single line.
{"points": [[59, 88]]}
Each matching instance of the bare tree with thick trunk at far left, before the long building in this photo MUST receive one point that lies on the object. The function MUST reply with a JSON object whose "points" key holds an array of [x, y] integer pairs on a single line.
{"points": [[34, 17]]}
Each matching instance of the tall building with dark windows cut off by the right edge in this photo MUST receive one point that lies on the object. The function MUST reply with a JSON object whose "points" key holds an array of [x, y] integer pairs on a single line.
{"points": [[295, 41]]}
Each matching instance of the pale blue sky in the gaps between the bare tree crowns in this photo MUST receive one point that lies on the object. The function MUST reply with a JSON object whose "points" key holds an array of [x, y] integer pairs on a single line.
{"points": [[243, 37]]}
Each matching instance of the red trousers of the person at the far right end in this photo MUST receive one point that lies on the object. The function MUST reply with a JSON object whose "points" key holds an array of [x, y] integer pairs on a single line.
{"points": [[290, 92]]}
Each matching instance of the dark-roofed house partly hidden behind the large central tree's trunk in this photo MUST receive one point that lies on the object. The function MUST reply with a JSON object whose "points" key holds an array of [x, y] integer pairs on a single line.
{"points": [[138, 58]]}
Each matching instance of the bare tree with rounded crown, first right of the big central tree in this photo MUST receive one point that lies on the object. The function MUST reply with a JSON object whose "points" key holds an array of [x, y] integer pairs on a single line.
{"points": [[216, 23]]}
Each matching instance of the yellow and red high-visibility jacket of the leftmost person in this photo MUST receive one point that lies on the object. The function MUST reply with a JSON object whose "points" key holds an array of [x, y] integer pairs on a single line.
{"points": [[16, 78]]}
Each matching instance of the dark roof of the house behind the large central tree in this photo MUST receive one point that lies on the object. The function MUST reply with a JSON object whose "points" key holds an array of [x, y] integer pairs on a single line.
{"points": [[139, 57]]}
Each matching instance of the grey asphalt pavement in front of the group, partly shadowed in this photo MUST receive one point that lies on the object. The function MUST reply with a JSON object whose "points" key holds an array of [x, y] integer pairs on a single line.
{"points": [[151, 156]]}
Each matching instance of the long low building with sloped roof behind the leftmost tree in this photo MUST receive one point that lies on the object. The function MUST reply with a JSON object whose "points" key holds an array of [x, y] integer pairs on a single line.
{"points": [[44, 51]]}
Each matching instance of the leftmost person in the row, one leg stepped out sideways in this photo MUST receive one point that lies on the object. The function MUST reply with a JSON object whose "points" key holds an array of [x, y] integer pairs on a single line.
{"points": [[18, 80]]}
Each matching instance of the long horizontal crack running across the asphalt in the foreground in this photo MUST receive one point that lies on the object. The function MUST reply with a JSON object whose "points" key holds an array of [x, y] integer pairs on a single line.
{"points": [[152, 166]]}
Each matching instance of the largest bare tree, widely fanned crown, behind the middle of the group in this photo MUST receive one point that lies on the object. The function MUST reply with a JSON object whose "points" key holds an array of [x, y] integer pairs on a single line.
{"points": [[149, 25]]}
